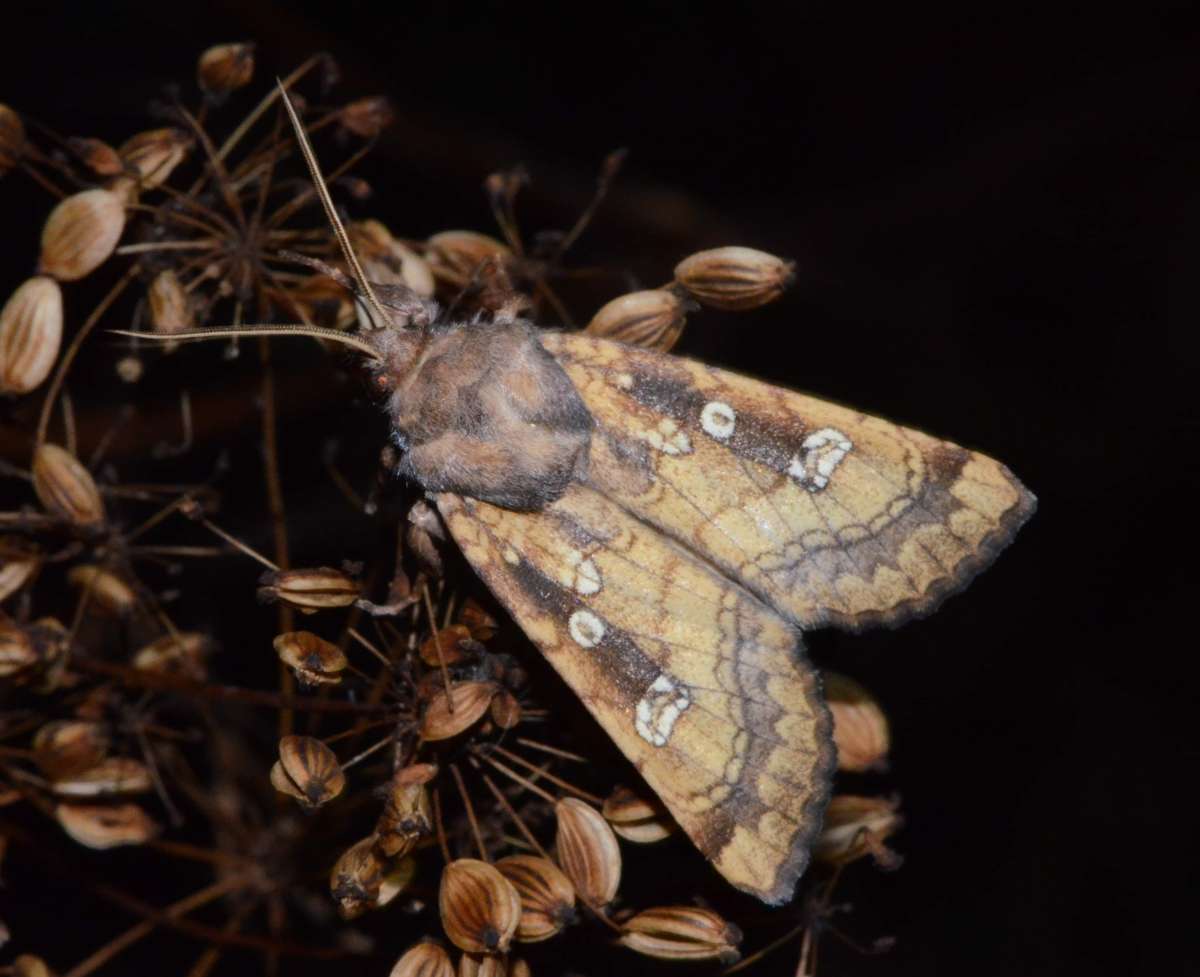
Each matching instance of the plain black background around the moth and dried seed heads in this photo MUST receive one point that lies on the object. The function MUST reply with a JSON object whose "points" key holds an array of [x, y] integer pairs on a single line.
{"points": [[993, 218]]}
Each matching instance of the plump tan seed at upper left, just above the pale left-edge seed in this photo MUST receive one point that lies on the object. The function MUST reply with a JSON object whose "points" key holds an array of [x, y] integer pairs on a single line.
{"points": [[81, 233]]}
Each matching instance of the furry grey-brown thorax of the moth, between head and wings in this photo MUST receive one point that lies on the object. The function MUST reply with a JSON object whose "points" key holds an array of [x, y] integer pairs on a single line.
{"points": [[482, 410]]}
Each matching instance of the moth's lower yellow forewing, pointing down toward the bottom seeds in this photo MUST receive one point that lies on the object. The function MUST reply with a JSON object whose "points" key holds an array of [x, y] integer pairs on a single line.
{"points": [[703, 686]]}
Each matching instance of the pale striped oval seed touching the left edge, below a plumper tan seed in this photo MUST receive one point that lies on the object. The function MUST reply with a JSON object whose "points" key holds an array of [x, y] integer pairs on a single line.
{"points": [[31, 335]]}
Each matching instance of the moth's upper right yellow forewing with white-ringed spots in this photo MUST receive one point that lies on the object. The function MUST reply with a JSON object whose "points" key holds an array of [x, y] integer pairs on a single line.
{"points": [[826, 514]]}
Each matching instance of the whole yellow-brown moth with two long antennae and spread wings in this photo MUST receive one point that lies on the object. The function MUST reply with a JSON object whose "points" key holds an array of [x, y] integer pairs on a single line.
{"points": [[667, 532]]}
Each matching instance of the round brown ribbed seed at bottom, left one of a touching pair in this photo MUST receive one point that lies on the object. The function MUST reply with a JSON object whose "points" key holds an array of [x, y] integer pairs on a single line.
{"points": [[481, 910]]}
